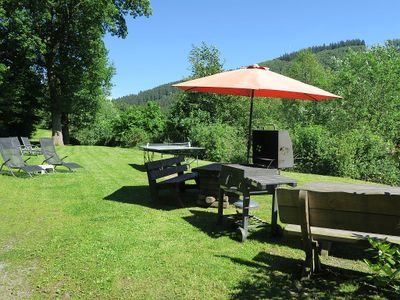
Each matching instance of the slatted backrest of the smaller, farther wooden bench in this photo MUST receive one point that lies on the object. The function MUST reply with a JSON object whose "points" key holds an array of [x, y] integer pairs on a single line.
{"points": [[165, 167]]}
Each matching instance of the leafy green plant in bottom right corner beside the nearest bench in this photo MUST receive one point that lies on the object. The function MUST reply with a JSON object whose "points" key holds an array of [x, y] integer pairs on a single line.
{"points": [[385, 265]]}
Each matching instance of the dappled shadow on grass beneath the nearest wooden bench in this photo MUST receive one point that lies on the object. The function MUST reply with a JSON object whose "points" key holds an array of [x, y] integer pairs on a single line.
{"points": [[277, 277]]}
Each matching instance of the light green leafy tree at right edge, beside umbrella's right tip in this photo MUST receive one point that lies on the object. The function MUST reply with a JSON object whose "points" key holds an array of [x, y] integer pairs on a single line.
{"points": [[370, 84]]}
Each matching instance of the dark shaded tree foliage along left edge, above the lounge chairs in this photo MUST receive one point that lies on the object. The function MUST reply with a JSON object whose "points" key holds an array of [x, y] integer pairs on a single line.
{"points": [[21, 89]]}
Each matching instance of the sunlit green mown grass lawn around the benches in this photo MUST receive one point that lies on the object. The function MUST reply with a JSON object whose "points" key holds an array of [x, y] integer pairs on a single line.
{"points": [[95, 234]]}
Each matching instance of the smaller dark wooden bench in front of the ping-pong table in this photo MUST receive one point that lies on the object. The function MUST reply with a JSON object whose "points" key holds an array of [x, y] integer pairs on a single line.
{"points": [[160, 175]]}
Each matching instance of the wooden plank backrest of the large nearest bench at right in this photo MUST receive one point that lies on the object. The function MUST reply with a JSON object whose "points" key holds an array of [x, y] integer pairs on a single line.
{"points": [[379, 213]]}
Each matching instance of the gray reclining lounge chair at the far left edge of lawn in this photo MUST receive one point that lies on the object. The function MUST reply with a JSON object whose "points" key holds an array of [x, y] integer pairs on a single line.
{"points": [[13, 160]]}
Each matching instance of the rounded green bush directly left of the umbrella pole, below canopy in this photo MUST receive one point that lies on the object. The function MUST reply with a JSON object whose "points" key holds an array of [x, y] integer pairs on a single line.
{"points": [[223, 143]]}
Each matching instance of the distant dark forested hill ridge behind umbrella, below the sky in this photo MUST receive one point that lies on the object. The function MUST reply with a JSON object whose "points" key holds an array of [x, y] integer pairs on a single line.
{"points": [[326, 54]]}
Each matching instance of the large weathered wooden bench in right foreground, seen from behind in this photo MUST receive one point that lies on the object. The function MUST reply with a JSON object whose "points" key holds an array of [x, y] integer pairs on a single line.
{"points": [[326, 212]]}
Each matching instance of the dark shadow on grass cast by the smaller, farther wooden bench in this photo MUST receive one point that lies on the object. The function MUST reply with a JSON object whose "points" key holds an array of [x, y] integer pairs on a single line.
{"points": [[140, 195]]}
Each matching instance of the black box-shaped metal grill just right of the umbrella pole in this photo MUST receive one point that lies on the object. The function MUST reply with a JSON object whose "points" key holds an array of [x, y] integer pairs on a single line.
{"points": [[272, 149]]}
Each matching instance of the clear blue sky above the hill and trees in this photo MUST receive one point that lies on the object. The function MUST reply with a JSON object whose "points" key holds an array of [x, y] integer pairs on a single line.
{"points": [[246, 32]]}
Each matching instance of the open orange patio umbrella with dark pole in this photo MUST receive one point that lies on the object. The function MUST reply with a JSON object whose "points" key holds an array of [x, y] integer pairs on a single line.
{"points": [[255, 81]]}
